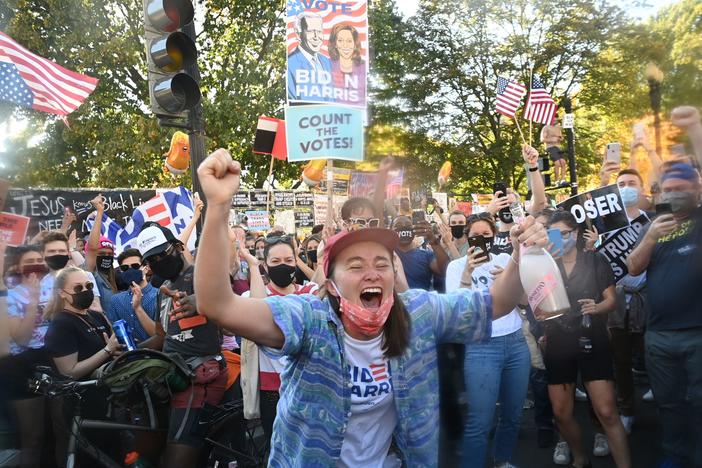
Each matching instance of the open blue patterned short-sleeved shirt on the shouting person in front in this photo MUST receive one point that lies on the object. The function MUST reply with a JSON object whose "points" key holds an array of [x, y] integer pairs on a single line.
{"points": [[315, 396]]}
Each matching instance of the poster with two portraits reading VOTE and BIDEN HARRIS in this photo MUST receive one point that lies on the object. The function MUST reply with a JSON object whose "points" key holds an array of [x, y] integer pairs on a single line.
{"points": [[327, 47]]}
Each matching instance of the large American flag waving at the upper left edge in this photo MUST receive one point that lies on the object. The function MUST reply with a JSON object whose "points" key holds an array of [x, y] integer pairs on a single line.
{"points": [[32, 81]]}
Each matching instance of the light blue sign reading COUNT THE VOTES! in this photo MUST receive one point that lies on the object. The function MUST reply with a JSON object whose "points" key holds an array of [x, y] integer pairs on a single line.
{"points": [[324, 132]]}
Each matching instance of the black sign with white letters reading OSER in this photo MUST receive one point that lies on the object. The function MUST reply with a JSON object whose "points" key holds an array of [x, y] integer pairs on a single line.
{"points": [[601, 207]]}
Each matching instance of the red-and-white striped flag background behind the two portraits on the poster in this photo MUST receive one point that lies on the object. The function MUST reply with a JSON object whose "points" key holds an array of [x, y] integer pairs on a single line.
{"points": [[356, 17]]}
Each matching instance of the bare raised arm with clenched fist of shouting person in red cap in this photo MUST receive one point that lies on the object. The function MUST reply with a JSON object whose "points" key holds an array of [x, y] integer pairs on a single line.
{"points": [[248, 318]]}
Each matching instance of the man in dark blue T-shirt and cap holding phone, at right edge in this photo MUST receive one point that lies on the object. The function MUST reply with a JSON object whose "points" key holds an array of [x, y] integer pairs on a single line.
{"points": [[668, 250]]}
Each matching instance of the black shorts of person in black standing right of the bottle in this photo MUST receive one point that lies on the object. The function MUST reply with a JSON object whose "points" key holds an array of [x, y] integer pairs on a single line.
{"points": [[563, 358]]}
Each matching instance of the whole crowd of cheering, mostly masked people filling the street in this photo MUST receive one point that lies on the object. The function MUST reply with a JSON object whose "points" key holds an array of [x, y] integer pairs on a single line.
{"points": [[382, 339]]}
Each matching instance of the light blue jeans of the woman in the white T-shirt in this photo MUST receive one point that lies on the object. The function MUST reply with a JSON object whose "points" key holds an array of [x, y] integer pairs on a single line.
{"points": [[496, 369]]}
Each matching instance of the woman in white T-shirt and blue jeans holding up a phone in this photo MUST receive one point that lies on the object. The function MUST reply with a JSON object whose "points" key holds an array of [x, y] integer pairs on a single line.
{"points": [[495, 370]]}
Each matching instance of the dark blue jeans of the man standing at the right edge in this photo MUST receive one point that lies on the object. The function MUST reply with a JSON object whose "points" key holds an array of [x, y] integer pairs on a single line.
{"points": [[674, 365]]}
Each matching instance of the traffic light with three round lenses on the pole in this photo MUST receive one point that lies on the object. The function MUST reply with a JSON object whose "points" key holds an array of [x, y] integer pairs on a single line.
{"points": [[171, 57]]}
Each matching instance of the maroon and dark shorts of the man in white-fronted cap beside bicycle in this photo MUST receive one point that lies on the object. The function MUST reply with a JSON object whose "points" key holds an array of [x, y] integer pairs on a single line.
{"points": [[208, 386]]}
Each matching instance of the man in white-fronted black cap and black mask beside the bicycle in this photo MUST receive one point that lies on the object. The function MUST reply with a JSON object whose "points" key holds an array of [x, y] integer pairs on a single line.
{"points": [[192, 336]]}
